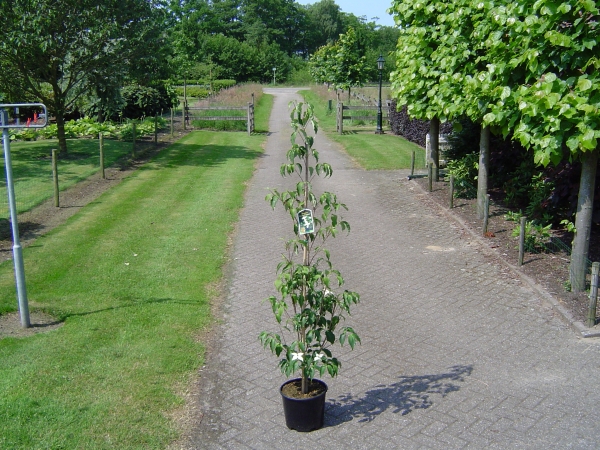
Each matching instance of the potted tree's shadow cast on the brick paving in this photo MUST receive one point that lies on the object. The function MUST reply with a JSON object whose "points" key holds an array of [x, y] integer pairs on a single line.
{"points": [[408, 394]]}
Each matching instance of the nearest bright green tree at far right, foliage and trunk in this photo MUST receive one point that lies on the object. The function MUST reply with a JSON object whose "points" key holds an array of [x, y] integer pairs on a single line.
{"points": [[556, 110]]}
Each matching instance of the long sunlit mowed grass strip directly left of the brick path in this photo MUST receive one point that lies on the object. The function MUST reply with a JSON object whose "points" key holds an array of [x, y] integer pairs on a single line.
{"points": [[131, 276]]}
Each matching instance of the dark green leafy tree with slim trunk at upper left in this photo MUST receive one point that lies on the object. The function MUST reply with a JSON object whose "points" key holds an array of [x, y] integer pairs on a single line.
{"points": [[75, 46]]}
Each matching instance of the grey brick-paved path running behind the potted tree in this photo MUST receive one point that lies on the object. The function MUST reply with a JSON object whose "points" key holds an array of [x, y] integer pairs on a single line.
{"points": [[457, 352]]}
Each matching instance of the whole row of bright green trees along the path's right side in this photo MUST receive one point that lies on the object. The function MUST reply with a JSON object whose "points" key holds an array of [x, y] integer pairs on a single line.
{"points": [[524, 69]]}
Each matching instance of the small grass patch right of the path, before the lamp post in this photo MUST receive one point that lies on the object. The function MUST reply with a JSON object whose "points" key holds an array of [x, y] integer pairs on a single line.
{"points": [[370, 150]]}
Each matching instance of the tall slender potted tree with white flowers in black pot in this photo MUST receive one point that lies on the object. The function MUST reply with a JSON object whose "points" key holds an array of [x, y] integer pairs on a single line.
{"points": [[311, 304]]}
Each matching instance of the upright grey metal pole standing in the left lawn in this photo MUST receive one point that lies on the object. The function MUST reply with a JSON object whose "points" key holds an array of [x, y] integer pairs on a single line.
{"points": [[17, 249]]}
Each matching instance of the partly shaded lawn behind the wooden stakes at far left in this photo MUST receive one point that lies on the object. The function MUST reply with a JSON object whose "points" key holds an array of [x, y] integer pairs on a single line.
{"points": [[32, 168]]}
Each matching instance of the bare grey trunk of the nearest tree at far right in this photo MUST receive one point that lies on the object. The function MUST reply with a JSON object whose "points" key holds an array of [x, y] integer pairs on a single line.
{"points": [[583, 221]]}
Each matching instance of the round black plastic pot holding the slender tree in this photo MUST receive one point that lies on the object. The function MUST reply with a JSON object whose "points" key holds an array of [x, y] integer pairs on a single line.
{"points": [[304, 414]]}
